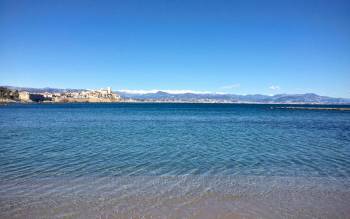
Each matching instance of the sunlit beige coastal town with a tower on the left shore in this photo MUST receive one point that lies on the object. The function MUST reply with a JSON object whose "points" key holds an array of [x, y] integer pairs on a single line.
{"points": [[104, 95]]}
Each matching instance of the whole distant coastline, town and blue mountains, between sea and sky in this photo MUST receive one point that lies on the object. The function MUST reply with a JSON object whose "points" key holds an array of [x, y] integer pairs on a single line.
{"points": [[107, 95]]}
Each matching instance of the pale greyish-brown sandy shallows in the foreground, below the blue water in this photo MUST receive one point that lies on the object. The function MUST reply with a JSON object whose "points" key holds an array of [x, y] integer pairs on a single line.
{"points": [[176, 197]]}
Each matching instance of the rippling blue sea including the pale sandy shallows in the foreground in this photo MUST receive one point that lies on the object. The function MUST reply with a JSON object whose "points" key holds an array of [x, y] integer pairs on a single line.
{"points": [[173, 160]]}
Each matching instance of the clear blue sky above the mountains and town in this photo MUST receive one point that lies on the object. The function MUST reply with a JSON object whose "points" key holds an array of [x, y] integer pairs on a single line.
{"points": [[242, 47]]}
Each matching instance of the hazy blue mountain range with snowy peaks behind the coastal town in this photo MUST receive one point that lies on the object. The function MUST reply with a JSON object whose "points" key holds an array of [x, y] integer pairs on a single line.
{"points": [[188, 96]]}
